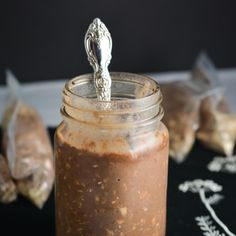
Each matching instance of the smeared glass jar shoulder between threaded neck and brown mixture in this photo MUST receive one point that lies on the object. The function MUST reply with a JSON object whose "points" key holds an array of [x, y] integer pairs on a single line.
{"points": [[114, 141]]}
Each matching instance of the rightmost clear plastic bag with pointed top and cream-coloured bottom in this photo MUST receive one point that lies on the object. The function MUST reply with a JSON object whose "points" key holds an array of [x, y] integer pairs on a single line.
{"points": [[217, 124]]}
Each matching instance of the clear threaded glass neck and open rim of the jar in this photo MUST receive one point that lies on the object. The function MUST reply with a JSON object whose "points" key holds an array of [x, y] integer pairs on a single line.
{"points": [[135, 101]]}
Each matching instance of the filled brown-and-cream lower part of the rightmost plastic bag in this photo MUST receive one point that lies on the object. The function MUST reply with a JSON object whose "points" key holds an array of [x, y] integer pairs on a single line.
{"points": [[218, 126]]}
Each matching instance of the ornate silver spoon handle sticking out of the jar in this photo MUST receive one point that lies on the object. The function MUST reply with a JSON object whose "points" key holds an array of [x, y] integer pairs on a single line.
{"points": [[98, 45]]}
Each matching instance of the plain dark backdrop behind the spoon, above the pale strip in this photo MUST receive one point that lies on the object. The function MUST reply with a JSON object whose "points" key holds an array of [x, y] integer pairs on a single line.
{"points": [[43, 39]]}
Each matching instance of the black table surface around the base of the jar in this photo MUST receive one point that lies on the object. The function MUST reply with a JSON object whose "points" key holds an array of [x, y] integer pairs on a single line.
{"points": [[22, 218]]}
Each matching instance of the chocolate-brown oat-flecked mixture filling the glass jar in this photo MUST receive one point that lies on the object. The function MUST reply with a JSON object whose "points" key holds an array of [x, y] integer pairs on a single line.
{"points": [[110, 194]]}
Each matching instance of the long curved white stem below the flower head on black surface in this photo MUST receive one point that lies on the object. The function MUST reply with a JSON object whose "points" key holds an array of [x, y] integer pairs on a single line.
{"points": [[213, 214]]}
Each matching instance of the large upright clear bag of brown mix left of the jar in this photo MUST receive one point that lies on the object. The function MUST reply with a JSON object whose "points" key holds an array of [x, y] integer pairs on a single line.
{"points": [[28, 149]]}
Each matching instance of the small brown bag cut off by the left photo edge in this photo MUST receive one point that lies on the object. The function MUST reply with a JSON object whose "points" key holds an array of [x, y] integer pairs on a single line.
{"points": [[8, 192]]}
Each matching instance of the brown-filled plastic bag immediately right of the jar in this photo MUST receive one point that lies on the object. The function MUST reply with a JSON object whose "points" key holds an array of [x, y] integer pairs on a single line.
{"points": [[181, 105]]}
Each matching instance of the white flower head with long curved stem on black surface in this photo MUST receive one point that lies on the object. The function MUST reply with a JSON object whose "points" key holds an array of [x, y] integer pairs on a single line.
{"points": [[201, 187]]}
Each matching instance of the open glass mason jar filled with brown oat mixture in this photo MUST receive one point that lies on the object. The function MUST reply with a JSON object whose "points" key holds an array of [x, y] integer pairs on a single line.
{"points": [[111, 159]]}
